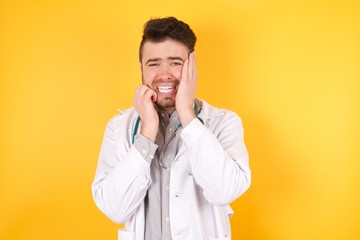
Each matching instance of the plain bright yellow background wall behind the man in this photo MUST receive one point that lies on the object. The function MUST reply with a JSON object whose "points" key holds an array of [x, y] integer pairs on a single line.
{"points": [[290, 69]]}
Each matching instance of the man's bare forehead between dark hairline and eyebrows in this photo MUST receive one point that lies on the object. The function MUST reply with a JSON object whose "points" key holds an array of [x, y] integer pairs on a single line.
{"points": [[164, 49]]}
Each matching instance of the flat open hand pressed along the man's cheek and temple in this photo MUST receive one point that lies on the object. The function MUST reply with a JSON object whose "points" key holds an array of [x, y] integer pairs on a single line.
{"points": [[186, 93]]}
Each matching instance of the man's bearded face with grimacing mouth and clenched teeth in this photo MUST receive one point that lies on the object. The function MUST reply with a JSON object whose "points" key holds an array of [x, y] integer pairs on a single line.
{"points": [[161, 66]]}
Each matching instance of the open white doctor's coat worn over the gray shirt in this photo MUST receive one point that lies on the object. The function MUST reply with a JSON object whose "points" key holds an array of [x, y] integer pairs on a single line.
{"points": [[210, 170]]}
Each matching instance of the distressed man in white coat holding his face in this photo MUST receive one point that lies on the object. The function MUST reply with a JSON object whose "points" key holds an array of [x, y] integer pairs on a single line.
{"points": [[170, 166]]}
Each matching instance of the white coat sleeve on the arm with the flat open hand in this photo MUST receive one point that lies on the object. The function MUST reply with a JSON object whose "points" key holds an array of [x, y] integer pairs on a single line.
{"points": [[218, 158]]}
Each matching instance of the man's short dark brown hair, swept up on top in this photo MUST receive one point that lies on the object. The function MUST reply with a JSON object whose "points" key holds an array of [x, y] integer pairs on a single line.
{"points": [[160, 29]]}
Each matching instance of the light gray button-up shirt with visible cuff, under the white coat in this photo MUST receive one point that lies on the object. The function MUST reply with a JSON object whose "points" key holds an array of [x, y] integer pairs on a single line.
{"points": [[161, 155]]}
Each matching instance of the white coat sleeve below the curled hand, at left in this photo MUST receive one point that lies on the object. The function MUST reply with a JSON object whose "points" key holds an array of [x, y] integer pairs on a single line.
{"points": [[122, 176]]}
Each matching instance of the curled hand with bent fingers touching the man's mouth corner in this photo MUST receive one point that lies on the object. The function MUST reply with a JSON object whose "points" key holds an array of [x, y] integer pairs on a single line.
{"points": [[144, 104]]}
